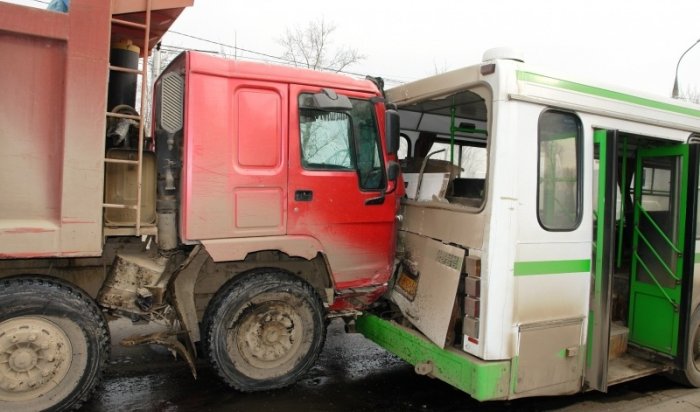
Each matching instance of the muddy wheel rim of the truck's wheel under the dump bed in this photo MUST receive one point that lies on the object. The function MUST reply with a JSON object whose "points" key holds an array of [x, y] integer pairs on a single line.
{"points": [[35, 356]]}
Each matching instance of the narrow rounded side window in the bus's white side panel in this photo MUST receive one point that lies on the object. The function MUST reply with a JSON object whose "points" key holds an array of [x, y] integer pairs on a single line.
{"points": [[559, 177]]}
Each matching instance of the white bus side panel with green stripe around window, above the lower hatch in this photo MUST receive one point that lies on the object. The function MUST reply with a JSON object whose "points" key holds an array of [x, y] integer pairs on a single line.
{"points": [[551, 267]]}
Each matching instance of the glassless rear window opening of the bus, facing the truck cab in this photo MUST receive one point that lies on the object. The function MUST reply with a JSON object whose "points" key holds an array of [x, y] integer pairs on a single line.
{"points": [[449, 137]]}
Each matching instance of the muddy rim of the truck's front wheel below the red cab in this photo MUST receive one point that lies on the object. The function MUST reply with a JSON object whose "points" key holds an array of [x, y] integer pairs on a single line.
{"points": [[269, 339]]}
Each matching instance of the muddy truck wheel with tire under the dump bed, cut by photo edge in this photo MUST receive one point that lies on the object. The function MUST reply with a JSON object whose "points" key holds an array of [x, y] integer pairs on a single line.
{"points": [[54, 343]]}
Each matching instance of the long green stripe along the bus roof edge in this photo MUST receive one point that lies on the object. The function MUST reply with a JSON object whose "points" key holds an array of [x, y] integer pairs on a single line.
{"points": [[608, 94]]}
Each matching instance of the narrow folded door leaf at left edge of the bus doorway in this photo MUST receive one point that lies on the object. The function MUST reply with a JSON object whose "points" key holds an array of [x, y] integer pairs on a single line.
{"points": [[605, 194]]}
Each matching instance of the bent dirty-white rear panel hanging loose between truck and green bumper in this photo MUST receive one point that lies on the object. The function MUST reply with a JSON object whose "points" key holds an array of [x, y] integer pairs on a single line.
{"points": [[426, 285]]}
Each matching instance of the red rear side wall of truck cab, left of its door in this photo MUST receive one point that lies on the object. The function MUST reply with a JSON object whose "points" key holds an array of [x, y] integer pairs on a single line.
{"points": [[236, 174]]}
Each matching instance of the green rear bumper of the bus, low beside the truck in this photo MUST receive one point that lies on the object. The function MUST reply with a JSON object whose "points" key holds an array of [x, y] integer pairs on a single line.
{"points": [[483, 380]]}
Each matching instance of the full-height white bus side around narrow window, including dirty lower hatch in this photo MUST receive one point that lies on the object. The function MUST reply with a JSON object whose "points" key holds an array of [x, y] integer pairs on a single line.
{"points": [[551, 270]]}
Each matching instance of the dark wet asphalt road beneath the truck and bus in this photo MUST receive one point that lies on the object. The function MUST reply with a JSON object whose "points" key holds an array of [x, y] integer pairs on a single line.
{"points": [[352, 374]]}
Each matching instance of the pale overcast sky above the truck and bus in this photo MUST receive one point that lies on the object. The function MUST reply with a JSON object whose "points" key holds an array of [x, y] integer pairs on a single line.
{"points": [[635, 44]]}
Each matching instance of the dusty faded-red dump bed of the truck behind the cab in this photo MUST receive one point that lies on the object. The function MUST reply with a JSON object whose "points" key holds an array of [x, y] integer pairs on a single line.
{"points": [[52, 121]]}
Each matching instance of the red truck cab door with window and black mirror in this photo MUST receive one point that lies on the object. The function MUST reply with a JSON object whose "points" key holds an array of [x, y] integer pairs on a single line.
{"points": [[336, 182]]}
